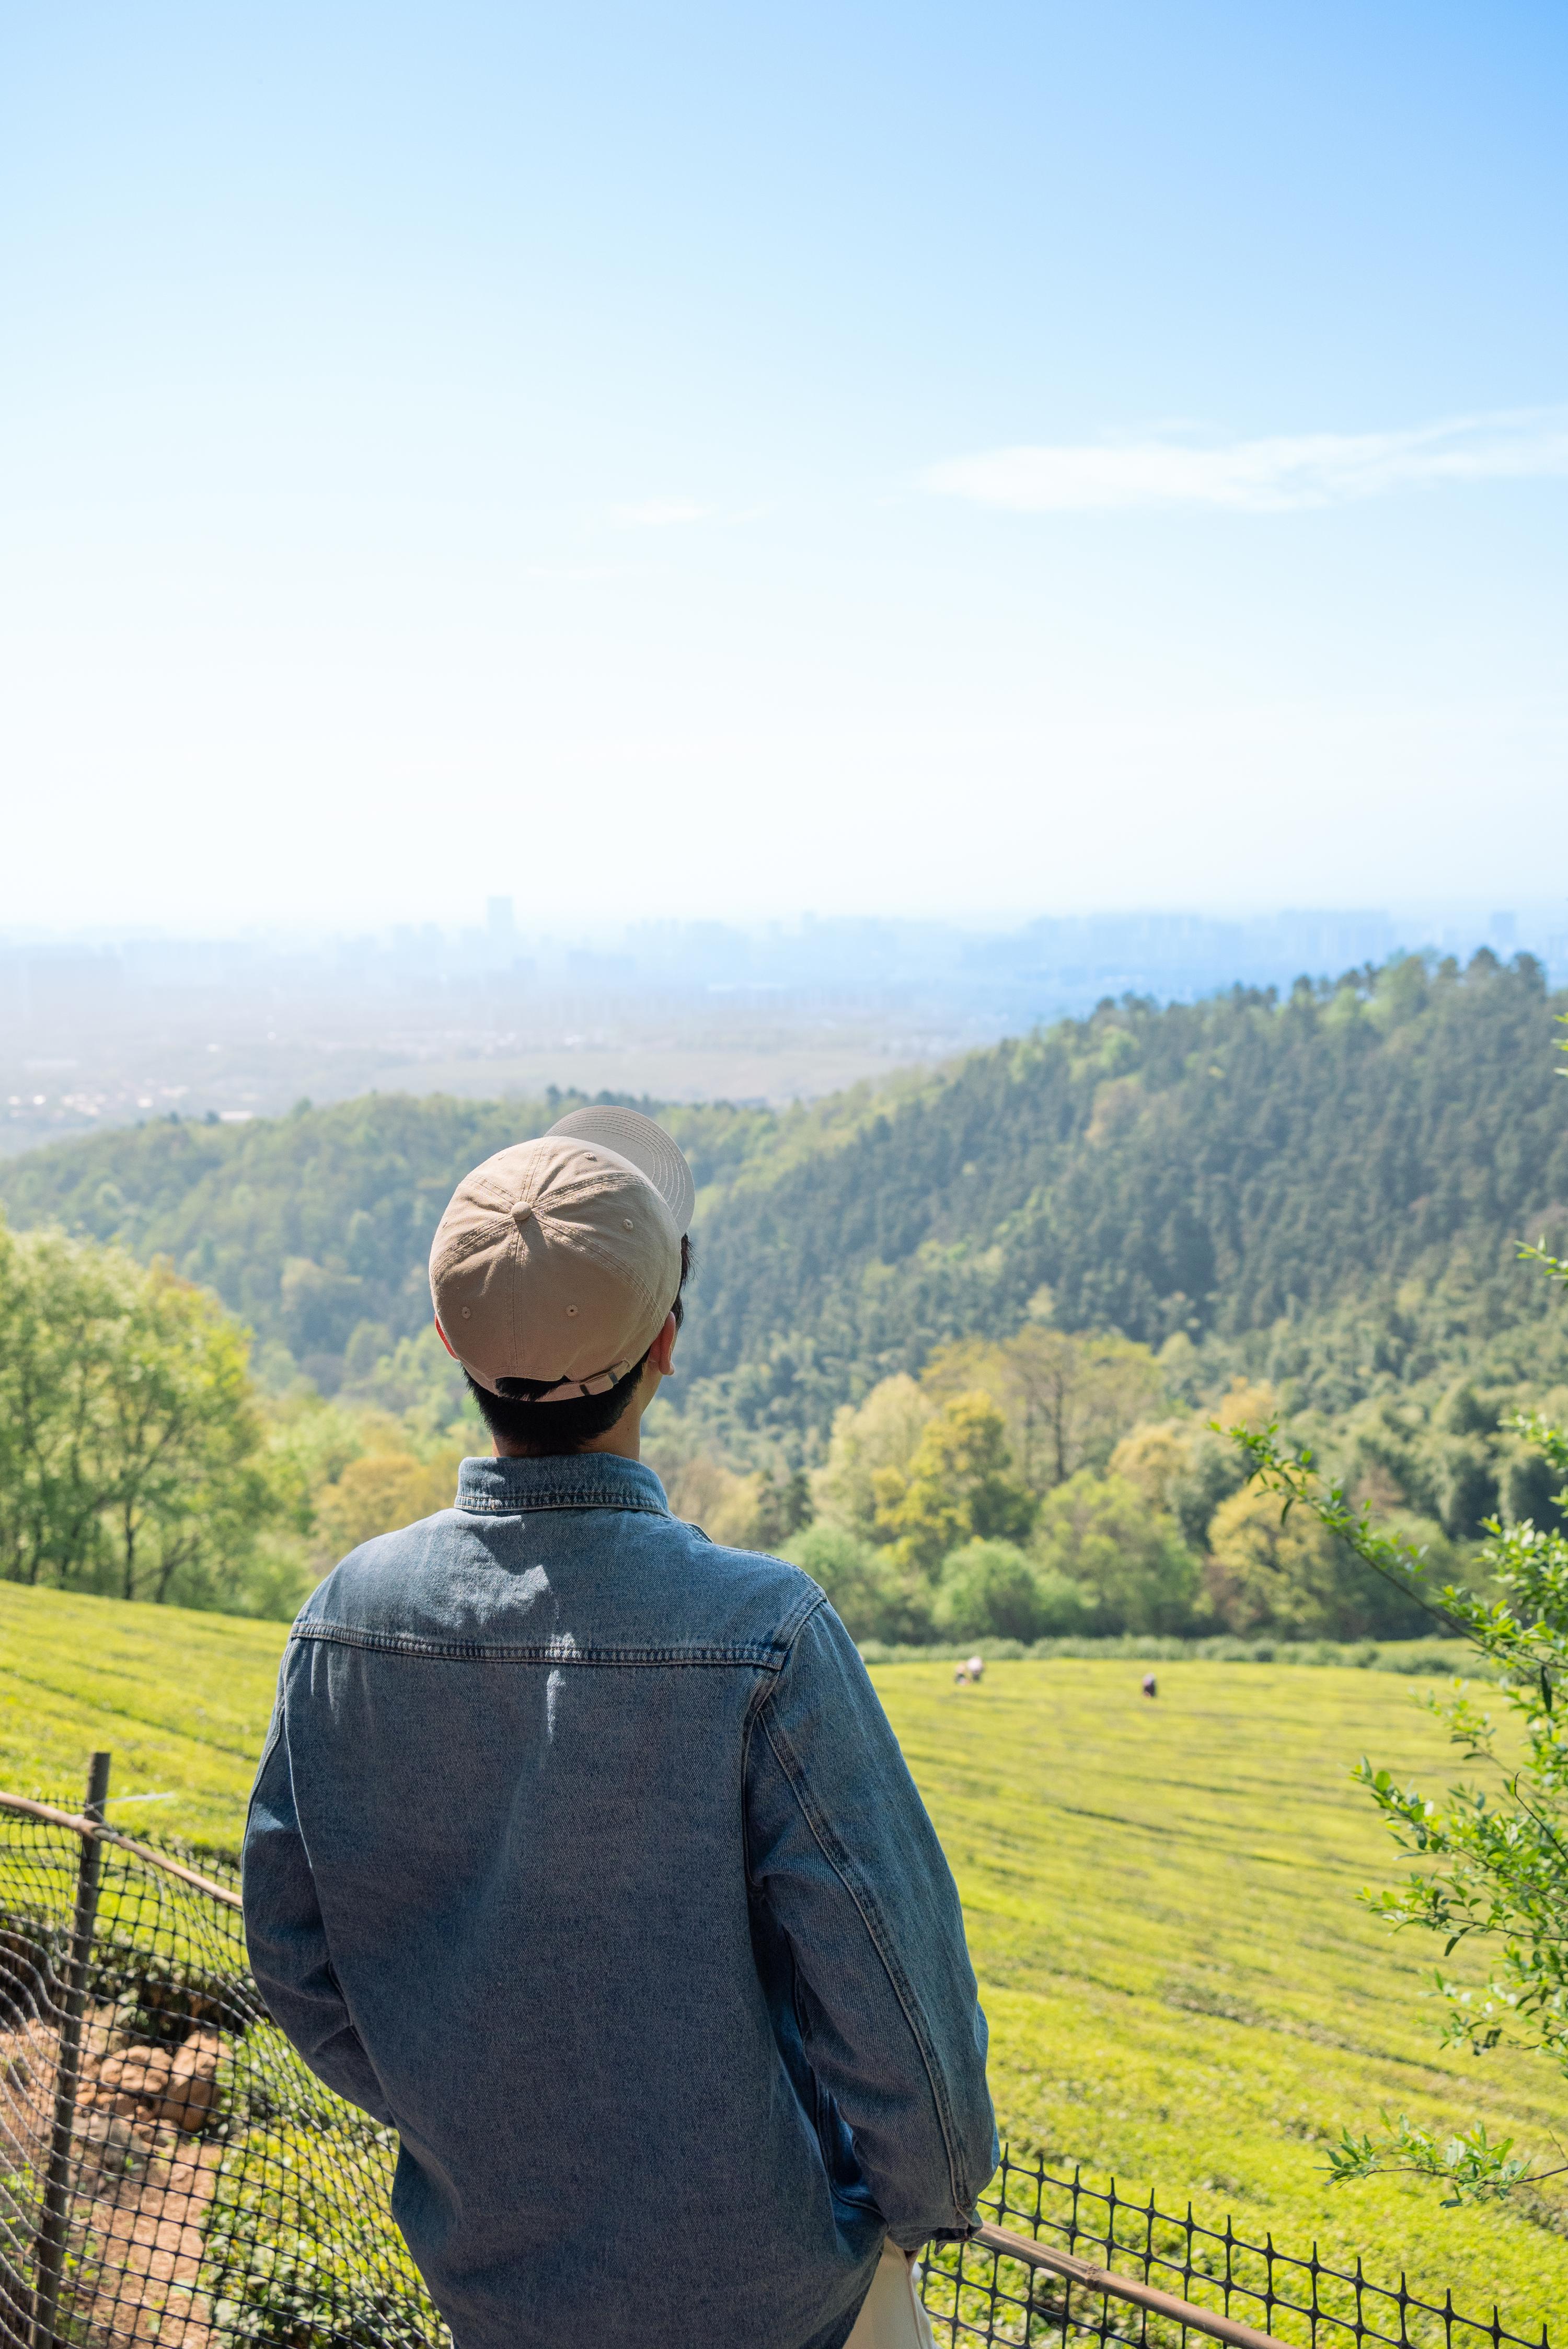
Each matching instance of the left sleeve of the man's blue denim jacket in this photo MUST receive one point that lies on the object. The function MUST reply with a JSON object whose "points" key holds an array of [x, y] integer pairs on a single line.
{"points": [[288, 1939]]}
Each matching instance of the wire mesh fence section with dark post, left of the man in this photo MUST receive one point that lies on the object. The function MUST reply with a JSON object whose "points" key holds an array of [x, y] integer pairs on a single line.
{"points": [[170, 2172]]}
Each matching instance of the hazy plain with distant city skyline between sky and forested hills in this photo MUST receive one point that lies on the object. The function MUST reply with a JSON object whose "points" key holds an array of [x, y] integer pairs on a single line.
{"points": [[100, 1032]]}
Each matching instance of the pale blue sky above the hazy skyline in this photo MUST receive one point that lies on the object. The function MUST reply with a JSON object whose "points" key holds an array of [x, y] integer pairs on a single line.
{"points": [[729, 462]]}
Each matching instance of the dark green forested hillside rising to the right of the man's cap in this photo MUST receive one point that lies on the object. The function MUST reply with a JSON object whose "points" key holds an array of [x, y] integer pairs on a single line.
{"points": [[1205, 1169]]}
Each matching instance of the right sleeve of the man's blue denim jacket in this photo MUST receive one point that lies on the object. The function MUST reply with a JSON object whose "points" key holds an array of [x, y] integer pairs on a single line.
{"points": [[849, 1864]]}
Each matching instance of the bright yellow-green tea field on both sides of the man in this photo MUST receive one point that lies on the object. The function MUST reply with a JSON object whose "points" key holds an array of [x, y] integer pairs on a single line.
{"points": [[1161, 1904]]}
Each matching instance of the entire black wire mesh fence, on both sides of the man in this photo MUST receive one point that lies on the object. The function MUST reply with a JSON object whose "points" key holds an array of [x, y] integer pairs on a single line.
{"points": [[173, 2174]]}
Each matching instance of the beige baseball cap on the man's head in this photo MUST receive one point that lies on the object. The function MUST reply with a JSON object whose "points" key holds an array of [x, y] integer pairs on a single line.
{"points": [[557, 1260]]}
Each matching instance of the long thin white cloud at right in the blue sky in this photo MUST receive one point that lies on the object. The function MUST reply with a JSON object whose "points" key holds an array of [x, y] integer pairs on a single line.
{"points": [[1262, 476]]}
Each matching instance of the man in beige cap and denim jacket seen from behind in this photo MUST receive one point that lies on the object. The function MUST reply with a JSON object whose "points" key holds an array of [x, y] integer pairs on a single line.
{"points": [[583, 1855]]}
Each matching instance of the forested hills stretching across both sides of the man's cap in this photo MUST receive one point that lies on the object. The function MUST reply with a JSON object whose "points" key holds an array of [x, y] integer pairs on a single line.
{"points": [[1198, 1169]]}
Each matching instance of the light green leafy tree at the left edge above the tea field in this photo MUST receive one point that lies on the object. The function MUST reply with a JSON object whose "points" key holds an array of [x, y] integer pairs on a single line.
{"points": [[133, 1455]]}
